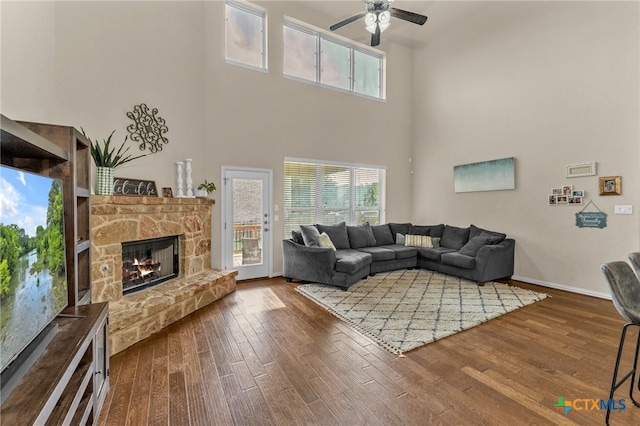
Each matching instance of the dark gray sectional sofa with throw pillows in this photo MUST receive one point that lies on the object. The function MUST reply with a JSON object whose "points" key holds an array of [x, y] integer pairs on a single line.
{"points": [[341, 255]]}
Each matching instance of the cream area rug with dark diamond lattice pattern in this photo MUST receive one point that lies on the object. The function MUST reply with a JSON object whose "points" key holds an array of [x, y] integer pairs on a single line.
{"points": [[402, 310]]}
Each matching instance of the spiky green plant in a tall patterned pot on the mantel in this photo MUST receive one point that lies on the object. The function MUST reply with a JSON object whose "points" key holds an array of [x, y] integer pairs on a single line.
{"points": [[106, 159]]}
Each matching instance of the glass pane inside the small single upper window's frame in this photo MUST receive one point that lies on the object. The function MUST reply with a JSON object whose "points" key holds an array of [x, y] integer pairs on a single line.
{"points": [[245, 32]]}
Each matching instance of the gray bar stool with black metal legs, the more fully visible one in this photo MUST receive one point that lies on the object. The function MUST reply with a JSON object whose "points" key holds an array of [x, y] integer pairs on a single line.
{"points": [[625, 293]]}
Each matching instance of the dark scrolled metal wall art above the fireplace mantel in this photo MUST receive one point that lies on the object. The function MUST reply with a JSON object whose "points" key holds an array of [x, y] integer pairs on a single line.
{"points": [[148, 128]]}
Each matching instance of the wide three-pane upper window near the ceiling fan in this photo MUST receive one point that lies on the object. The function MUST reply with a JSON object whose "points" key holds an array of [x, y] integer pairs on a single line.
{"points": [[315, 56]]}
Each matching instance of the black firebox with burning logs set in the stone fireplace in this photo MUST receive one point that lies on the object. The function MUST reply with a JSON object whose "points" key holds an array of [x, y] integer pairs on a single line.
{"points": [[147, 263]]}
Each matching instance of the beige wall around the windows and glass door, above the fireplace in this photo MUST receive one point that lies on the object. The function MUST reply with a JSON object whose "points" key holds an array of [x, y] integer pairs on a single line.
{"points": [[110, 56]]}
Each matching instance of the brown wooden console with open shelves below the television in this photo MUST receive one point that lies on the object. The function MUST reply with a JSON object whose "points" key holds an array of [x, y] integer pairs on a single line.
{"points": [[62, 385]]}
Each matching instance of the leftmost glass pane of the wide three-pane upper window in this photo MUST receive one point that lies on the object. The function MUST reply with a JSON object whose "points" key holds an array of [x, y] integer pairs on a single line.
{"points": [[299, 54]]}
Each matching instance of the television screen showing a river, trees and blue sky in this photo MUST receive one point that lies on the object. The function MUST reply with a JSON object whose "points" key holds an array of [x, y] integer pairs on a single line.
{"points": [[33, 285]]}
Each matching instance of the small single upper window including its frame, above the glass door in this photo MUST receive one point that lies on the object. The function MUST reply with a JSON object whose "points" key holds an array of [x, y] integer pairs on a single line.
{"points": [[246, 42]]}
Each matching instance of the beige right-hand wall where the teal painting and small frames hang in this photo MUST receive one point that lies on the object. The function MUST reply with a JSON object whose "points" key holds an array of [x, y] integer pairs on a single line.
{"points": [[551, 84]]}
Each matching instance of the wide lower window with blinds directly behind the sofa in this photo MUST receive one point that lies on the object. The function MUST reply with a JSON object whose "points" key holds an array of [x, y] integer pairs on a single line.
{"points": [[330, 193]]}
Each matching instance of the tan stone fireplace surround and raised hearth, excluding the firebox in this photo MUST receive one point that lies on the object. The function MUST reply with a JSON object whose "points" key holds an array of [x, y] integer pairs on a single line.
{"points": [[118, 219]]}
